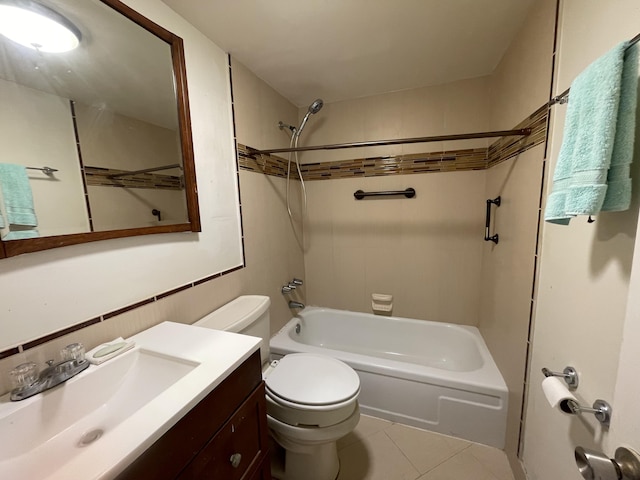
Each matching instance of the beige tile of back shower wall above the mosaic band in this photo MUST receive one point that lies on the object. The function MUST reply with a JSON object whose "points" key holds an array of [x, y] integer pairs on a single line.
{"points": [[459, 107]]}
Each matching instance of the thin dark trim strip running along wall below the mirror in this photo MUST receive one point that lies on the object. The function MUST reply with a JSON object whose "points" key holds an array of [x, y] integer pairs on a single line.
{"points": [[102, 318]]}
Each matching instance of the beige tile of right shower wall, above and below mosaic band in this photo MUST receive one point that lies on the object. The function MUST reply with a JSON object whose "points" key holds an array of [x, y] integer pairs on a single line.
{"points": [[520, 84]]}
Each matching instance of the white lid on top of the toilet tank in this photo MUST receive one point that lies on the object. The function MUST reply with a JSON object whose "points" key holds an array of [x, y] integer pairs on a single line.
{"points": [[236, 315]]}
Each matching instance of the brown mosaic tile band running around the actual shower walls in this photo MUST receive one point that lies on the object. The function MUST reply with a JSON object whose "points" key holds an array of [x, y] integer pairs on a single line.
{"points": [[430, 162]]}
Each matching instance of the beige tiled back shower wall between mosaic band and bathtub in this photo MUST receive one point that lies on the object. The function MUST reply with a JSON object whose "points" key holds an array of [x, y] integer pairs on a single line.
{"points": [[426, 251]]}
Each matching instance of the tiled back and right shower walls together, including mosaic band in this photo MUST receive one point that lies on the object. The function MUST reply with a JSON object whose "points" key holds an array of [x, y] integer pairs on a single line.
{"points": [[428, 251]]}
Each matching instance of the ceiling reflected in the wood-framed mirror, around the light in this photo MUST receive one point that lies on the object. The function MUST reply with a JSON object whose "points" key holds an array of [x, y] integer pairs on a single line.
{"points": [[113, 68]]}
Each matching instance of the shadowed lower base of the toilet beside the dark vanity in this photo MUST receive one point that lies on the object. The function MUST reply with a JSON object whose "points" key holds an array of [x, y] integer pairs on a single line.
{"points": [[317, 462]]}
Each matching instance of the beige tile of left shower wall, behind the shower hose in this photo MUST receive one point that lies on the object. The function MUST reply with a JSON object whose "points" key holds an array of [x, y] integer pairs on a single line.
{"points": [[273, 243]]}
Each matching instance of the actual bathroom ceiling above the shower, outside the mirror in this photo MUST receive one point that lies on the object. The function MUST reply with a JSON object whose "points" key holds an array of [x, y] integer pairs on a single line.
{"points": [[343, 49]]}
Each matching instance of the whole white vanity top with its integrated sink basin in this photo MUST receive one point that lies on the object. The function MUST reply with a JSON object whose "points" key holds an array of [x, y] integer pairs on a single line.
{"points": [[94, 425]]}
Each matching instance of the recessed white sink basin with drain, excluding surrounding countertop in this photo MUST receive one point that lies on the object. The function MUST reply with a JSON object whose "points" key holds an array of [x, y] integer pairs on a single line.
{"points": [[42, 433]]}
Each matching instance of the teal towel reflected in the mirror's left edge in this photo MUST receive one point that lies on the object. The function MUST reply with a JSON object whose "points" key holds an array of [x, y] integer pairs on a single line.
{"points": [[16, 192]]}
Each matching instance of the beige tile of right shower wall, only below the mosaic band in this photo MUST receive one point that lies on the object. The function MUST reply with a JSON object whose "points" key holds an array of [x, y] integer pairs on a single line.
{"points": [[507, 274]]}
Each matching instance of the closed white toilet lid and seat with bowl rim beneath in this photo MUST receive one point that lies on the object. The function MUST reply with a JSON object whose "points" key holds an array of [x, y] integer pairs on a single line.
{"points": [[310, 389]]}
